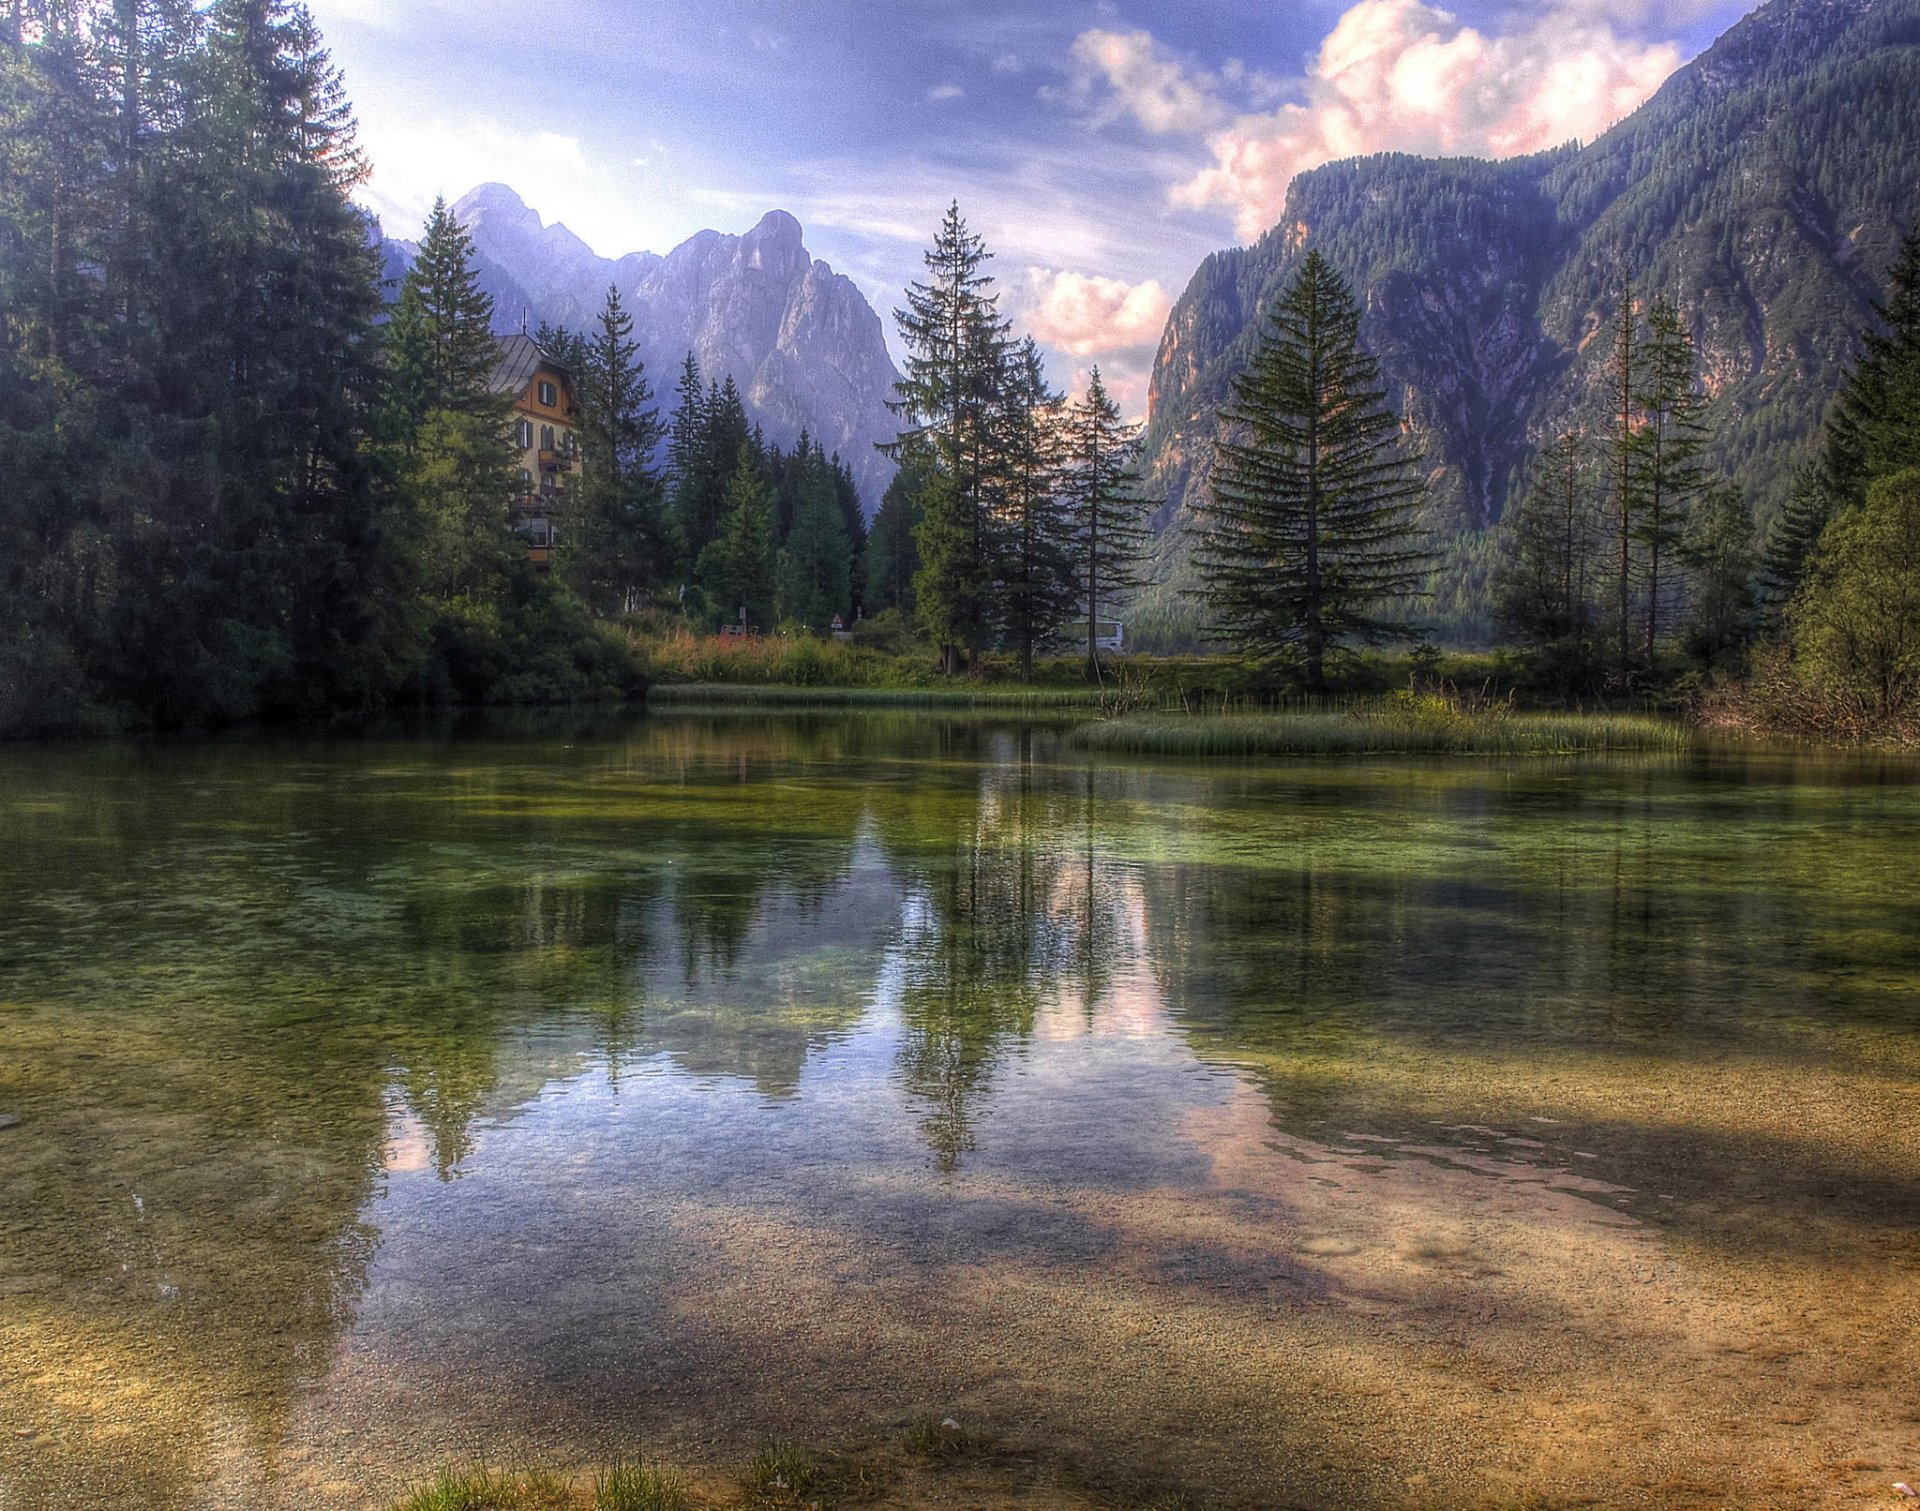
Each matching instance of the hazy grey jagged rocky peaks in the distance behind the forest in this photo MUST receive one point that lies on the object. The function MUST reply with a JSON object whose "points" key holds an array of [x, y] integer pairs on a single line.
{"points": [[798, 339]]}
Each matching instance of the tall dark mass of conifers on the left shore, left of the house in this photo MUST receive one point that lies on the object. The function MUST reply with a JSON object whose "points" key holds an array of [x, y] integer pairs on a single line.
{"points": [[233, 487]]}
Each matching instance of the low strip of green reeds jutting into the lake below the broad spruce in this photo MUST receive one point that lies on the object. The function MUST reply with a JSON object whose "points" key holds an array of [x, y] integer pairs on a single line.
{"points": [[1385, 729]]}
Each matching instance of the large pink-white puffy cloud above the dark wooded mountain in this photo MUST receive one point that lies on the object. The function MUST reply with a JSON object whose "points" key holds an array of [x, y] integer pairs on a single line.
{"points": [[1408, 78]]}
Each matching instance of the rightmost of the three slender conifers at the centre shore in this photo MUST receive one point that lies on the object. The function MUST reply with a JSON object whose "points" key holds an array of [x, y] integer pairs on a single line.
{"points": [[1105, 506]]}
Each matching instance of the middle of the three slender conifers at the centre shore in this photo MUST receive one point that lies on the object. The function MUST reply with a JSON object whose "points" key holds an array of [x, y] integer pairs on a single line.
{"points": [[1036, 581]]}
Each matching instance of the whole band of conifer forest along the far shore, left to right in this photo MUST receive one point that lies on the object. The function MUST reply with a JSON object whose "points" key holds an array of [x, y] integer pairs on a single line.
{"points": [[251, 481]]}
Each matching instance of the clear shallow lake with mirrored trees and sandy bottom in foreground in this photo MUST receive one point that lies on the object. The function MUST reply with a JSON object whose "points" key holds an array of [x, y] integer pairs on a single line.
{"points": [[1326, 1134]]}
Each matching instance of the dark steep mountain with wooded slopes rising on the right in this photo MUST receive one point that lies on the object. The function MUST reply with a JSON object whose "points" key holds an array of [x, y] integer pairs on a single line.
{"points": [[1765, 187]]}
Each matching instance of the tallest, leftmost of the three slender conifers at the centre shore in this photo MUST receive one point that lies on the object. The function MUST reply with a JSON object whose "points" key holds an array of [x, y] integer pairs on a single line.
{"points": [[949, 396]]}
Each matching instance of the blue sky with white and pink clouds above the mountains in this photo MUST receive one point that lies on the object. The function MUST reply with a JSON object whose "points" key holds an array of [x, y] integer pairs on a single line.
{"points": [[1099, 147]]}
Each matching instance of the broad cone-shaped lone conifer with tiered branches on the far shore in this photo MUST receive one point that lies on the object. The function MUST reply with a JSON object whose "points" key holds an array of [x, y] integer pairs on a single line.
{"points": [[1310, 533]]}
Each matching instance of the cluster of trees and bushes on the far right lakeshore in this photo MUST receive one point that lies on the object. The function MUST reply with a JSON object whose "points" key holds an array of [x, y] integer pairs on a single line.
{"points": [[1629, 564]]}
